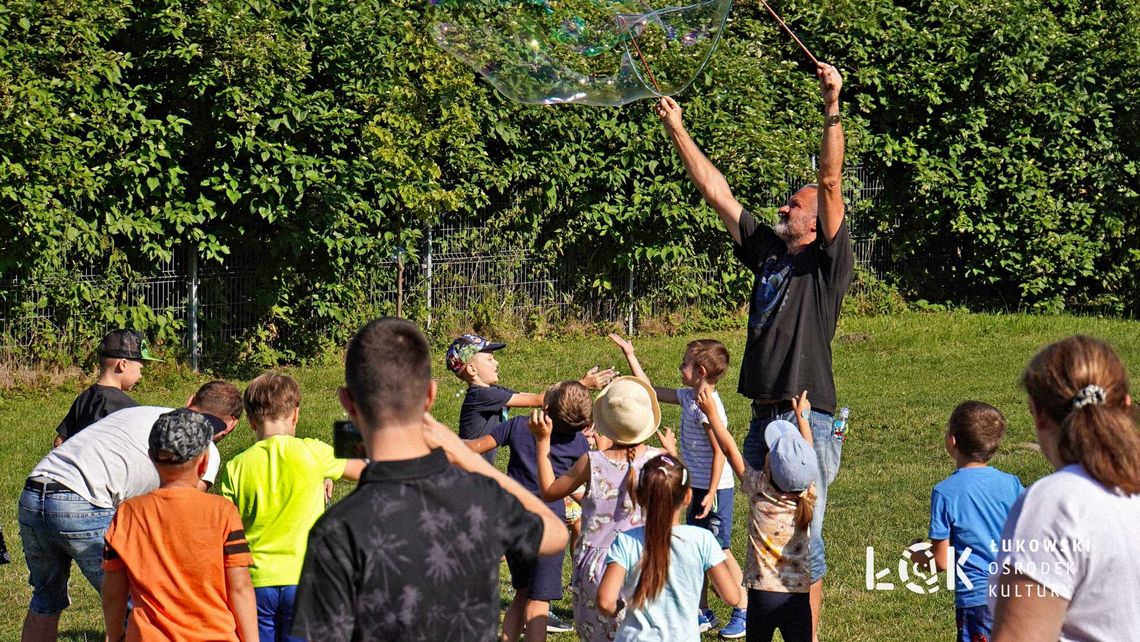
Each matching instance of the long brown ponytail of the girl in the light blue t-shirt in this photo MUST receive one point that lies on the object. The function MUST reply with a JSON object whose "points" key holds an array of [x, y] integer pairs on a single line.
{"points": [[661, 492]]}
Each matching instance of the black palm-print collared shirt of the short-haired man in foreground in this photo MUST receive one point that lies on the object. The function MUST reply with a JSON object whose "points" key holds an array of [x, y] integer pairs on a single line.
{"points": [[413, 555]]}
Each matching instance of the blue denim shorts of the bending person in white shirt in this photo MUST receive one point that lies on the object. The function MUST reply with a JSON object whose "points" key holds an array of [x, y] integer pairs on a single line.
{"points": [[58, 527]]}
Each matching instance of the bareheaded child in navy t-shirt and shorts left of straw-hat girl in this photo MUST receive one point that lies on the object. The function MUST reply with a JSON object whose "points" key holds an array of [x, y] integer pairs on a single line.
{"points": [[539, 583]]}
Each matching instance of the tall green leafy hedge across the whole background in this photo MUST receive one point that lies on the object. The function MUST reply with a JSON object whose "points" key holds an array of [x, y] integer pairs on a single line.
{"points": [[319, 136]]}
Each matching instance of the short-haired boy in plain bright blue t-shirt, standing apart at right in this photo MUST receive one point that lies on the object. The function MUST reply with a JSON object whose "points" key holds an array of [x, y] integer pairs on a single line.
{"points": [[968, 510]]}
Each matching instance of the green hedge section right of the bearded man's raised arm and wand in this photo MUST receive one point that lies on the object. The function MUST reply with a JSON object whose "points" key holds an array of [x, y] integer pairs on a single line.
{"points": [[1009, 134]]}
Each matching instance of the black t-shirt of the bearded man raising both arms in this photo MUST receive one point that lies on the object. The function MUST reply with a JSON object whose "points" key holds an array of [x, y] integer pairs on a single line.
{"points": [[793, 314]]}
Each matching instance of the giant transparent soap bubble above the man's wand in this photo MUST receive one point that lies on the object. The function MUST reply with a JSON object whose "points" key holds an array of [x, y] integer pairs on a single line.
{"points": [[588, 52]]}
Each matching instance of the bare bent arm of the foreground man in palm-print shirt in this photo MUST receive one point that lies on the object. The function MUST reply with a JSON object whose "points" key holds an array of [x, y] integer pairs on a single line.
{"points": [[555, 531]]}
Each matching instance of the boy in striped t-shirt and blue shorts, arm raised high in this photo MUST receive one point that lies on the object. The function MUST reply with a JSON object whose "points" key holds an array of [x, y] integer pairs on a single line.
{"points": [[705, 363]]}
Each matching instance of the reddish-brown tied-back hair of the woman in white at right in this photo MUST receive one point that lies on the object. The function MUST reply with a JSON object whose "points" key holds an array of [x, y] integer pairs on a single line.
{"points": [[1081, 385]]}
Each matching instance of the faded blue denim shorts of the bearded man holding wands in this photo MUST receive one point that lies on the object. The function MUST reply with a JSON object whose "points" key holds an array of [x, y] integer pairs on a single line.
{"points": [[829, 452]]}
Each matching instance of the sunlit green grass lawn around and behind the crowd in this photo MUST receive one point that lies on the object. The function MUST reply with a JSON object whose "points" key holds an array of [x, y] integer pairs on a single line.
{"points": [[901, 377]]}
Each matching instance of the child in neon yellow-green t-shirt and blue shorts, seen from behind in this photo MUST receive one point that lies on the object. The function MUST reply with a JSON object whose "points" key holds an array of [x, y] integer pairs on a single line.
{"points": [[278, 485]]}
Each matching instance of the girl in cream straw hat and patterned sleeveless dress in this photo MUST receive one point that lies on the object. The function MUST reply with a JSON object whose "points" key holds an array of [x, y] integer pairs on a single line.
{"points": [[626, 416]]}
